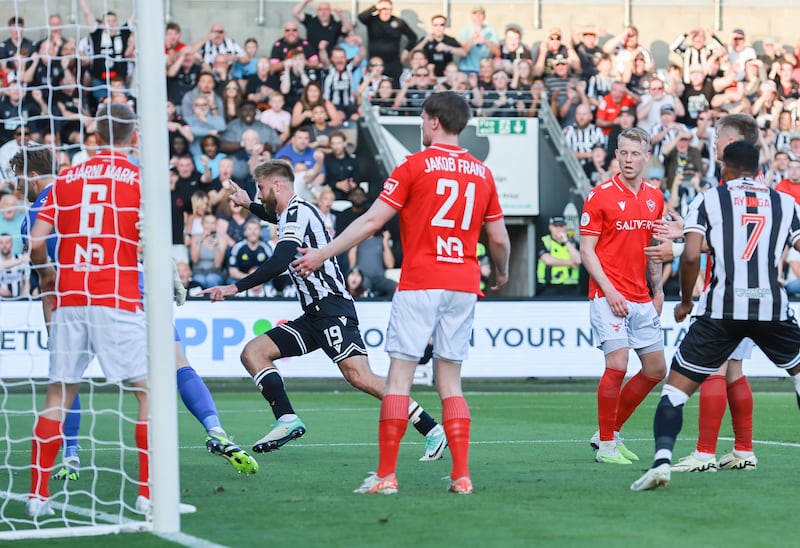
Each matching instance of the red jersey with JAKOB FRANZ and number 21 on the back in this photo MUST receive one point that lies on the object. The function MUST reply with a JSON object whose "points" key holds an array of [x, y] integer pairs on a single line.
{"points": [[444, 195]]}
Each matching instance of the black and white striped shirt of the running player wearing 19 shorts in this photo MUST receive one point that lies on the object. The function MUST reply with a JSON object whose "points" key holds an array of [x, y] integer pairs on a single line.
{"points": [[301, 223]]}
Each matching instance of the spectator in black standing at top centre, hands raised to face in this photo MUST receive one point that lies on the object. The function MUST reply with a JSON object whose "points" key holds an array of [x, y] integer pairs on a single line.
{"points": [[385, 33]]}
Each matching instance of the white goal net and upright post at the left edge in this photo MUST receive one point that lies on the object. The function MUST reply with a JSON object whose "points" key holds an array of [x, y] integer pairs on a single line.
{"points": [[58, 69]]}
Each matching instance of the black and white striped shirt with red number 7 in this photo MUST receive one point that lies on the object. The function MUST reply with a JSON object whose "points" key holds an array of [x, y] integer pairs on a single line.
{"points": [[746, 225]]}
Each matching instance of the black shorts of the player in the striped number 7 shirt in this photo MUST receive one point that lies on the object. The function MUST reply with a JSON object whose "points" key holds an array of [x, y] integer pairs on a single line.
{"points": [[709, 343]]}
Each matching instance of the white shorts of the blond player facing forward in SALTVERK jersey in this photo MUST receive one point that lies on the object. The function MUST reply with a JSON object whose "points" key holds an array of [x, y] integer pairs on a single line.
{"points": [[641, 329]]}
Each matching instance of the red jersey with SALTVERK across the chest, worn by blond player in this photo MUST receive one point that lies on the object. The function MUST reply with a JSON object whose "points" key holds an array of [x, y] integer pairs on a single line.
{"points": [[623, 222]]}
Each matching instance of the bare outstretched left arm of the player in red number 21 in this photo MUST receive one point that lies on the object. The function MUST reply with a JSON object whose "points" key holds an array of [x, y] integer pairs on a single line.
{"points": [[356, 232]]}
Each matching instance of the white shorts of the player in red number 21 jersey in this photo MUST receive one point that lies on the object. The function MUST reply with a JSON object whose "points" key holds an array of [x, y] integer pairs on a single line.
{"points": [[418, 315]]}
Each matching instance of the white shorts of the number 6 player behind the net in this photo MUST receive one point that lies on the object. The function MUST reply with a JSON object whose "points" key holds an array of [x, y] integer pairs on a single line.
{"points": [[117, 337]]}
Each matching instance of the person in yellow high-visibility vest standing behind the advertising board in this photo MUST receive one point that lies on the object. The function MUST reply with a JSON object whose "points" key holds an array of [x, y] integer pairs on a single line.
{"points": [[559, 260]]}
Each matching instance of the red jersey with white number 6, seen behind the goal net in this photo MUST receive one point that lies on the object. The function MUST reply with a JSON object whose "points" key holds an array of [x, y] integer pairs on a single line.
{"points": [[94, 207]]}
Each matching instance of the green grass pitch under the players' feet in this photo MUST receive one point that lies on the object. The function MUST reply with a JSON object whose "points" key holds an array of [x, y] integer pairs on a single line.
{"points": [[535, 479]]}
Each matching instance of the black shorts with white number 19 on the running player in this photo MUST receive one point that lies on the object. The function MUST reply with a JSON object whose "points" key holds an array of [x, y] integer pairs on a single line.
{"points": [[337, 336]]}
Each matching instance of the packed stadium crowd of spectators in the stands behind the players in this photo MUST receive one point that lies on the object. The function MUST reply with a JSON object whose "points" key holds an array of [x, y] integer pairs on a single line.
{"points": [[231, 106]]}
